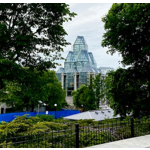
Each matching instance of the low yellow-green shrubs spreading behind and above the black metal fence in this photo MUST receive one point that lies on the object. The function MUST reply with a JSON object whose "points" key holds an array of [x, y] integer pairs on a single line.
{"points": [[37, 133]]}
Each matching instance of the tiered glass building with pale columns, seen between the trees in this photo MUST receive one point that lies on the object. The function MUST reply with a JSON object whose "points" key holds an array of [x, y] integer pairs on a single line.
{"points": [[78, 66]]}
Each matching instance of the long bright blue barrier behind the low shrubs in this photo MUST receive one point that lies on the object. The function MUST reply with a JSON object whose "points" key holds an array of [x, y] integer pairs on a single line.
{"points": [[59, 114]]}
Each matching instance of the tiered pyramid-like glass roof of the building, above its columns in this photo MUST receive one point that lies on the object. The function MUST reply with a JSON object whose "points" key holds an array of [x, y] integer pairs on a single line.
{"points": [[80, 60]]}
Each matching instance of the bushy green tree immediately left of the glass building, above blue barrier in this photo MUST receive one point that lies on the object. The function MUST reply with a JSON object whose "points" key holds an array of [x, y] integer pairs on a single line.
{"points": [[51, 91]]}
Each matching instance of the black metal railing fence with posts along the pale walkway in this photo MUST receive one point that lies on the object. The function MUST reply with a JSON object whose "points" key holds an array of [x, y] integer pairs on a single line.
{"points": [[80, 136]]}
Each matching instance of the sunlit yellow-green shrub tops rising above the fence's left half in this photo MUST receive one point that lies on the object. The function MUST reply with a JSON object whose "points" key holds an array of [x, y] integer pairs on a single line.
{"points": [[24, 125]]}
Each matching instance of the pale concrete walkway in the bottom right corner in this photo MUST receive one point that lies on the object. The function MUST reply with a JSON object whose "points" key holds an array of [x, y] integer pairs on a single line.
{"points": [[137, 142]]}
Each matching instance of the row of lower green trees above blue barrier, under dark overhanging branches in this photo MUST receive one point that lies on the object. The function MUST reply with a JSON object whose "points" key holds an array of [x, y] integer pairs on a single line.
{"points": [[44, 87]]}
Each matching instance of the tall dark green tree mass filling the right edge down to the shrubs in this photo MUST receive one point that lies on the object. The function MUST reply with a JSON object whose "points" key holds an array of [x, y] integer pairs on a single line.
{"points": [[127, 32]]}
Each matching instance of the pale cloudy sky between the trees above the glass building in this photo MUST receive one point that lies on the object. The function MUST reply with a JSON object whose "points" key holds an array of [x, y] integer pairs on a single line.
{"points": [[88, 23]]}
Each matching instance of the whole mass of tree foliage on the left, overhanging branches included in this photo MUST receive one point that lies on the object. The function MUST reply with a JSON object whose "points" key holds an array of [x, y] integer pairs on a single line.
{"points": [[31, 37]]}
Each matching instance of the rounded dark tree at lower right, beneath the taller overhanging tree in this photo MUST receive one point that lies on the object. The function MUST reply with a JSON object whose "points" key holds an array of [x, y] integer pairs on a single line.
{"points": [[126, 96]]}
